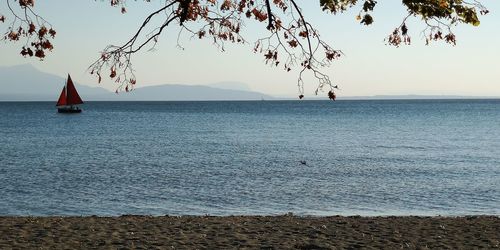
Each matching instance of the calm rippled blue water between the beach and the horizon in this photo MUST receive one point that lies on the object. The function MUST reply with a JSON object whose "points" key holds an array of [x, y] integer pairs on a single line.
{"points": [[224, 158]]}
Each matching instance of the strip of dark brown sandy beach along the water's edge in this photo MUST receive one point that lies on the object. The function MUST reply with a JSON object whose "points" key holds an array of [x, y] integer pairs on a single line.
{"points": [[249, 232]]}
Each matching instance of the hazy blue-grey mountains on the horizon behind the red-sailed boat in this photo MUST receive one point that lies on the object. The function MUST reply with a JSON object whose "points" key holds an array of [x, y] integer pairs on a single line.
{"points": [[26, 83]]}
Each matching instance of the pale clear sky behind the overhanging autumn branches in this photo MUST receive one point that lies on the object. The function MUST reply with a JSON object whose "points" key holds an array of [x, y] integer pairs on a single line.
{"points": [[368, 68]]}
